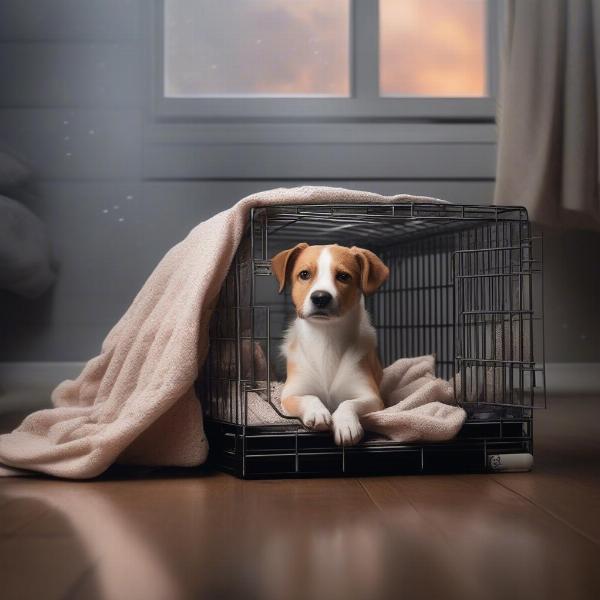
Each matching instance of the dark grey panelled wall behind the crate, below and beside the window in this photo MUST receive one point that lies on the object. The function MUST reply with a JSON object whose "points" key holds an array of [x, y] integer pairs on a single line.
{"points": [[117, 190]]}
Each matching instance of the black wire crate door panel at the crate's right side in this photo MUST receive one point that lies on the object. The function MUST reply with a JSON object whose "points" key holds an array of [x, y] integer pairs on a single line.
{"points": [[499, 318]]}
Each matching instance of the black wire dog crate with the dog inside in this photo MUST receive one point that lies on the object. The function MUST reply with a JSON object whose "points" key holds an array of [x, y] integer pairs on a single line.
{"points": [[465, 284]]}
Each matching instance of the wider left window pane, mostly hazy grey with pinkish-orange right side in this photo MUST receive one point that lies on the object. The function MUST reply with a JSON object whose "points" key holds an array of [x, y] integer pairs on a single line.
{"points": [[256, 48]]}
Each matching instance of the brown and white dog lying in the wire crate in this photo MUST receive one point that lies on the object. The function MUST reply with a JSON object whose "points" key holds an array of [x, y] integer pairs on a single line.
{"points": [[333, 371]]}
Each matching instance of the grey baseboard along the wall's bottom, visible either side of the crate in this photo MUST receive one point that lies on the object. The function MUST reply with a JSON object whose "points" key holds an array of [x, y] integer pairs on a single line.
{"points": [[27, 385]]}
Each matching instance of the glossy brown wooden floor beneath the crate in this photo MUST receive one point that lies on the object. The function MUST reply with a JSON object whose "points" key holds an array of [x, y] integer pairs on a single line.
{"points": [[168, 535]]}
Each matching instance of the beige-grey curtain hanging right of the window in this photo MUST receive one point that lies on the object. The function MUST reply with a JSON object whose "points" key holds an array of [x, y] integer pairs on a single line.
{"points": [[548, 111]]}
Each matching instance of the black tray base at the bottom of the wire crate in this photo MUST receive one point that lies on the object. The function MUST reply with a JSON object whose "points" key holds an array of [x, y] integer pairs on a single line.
{"points": [[291, 451]]}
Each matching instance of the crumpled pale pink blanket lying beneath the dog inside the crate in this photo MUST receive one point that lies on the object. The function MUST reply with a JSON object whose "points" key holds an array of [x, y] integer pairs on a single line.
{"points": [[418, 405]]}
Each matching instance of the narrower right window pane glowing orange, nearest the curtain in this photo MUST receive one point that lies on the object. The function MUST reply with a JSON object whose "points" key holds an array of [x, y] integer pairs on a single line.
{"points": [[432, 48]]}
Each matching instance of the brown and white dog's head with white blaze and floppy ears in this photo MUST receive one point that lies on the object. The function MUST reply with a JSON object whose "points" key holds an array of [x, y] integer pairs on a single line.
{"points": [[328, 281]]}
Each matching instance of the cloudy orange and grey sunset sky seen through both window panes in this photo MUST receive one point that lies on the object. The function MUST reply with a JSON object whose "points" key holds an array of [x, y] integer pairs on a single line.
{"points": [[301, 47]]}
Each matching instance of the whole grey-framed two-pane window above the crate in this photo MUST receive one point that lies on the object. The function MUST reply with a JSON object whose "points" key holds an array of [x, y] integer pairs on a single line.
{"points": [[335, 60]]}
